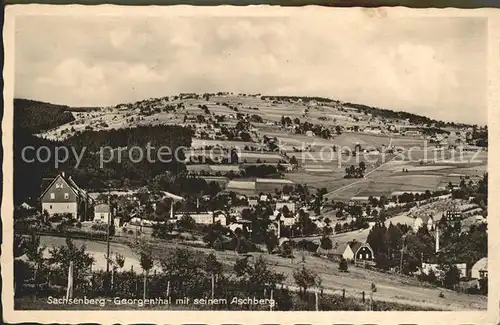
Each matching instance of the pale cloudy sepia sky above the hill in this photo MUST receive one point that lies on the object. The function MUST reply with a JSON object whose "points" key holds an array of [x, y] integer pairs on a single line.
{"points": [[431, 66]]}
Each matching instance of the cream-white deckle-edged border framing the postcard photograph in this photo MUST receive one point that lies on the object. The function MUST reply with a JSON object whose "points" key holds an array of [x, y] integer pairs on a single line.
{"points": [[492, 316]]}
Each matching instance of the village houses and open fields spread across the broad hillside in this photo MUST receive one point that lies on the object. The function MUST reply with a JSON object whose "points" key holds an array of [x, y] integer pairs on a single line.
{"points": [[258, 186]]}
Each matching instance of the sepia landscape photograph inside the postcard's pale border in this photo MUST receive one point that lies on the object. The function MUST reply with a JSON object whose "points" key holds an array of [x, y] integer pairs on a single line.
{"points": [[249, 162]]}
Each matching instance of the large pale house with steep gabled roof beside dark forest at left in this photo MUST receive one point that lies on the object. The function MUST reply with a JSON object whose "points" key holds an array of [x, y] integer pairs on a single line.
{"points": [[63, 196]]}
